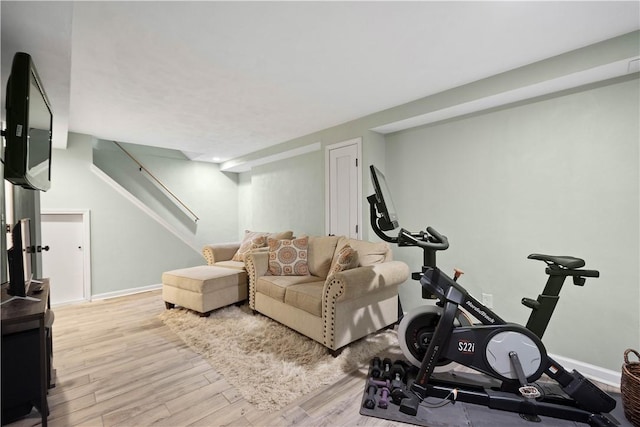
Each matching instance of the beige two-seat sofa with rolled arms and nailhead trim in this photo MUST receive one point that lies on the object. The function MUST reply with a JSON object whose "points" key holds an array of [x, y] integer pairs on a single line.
{"points": [[332, 309]]}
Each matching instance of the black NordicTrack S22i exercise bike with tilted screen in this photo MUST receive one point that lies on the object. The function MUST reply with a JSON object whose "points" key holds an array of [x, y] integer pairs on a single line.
{"points": [[511, 355]]}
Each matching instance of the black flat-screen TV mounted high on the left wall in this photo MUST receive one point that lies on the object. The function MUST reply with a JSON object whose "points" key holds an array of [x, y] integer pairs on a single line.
{"points": [[29, 127]]}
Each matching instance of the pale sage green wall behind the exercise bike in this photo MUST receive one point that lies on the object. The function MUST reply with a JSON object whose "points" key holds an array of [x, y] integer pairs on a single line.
{"points": [[557, 176]]}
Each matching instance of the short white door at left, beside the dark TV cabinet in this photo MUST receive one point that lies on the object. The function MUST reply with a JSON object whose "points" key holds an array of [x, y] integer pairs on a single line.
{"points": [[63, 263]]}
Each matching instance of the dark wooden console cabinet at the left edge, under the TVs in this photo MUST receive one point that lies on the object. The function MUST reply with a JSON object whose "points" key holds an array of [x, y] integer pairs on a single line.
{"points": [[26, 354]]}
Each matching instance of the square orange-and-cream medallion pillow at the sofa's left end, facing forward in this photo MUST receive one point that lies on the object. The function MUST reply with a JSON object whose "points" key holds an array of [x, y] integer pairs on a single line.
{"points": [[288, 257]]}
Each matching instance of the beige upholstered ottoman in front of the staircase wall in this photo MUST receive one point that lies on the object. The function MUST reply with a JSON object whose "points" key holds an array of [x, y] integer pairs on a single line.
{"points": [[203, 288]]}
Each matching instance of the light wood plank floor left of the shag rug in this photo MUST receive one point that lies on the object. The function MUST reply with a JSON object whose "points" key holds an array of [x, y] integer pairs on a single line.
{"points": [[117, 364]]}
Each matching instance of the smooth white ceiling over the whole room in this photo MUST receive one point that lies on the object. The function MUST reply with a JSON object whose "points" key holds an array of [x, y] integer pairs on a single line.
{"points": [[224, 79]]}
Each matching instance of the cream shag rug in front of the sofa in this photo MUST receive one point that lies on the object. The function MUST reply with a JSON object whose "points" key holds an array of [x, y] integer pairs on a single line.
{"points": [[268, 363]]}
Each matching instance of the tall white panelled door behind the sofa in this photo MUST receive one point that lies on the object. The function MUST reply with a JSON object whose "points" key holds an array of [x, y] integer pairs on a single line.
{"points": [[344, 210]]}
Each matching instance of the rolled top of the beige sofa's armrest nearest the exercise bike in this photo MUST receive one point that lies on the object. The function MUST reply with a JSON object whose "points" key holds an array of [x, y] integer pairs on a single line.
{"points": [[356, 282]]}
